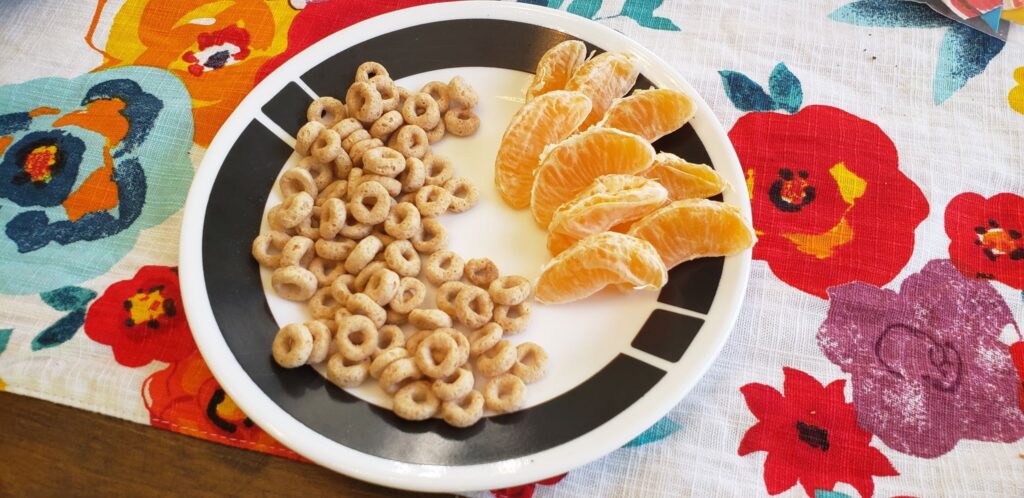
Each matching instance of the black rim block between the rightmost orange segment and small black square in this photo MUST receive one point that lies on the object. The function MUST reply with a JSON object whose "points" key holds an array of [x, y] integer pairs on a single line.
{"points": [[694, 285]]}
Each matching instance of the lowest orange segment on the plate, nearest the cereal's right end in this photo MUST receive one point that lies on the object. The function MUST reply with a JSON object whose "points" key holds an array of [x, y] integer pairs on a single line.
{"points": [[600, 261]]}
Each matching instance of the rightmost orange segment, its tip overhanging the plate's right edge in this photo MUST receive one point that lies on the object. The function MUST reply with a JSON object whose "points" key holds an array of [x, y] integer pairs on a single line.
{"points": [[696, 228]]}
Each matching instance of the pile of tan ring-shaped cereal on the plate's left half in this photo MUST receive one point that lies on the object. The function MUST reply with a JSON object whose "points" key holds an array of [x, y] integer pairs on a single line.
{"points": [[360, 212]]}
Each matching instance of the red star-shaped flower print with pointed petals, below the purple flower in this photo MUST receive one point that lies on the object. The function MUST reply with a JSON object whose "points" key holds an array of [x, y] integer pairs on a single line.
{"points": [[812, 436]]}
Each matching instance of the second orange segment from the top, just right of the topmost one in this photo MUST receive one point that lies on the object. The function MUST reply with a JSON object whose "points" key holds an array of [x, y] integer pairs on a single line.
{"points": [[605, 78]]}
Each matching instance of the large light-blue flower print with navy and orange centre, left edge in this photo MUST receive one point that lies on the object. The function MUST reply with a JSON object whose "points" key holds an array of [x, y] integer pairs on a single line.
{"points": [[86, 164]]}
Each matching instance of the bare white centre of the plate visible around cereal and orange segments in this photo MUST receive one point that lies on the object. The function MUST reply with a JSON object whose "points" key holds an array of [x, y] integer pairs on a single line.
{"points": [[581, 338]]}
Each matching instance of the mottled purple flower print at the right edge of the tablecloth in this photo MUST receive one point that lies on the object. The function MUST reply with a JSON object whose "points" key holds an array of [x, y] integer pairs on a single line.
{"points": [[927, 363]]}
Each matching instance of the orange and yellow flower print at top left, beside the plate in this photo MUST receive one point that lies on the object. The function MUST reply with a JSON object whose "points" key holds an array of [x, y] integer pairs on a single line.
{"points": [[216, 49]]}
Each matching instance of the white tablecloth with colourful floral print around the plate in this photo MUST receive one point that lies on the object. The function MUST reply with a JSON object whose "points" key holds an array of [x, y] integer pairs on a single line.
{"points": [[879, 353]]}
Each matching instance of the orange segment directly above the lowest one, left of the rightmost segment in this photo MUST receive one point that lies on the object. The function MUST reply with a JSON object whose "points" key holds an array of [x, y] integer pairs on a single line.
{"points": [[611, 200]]}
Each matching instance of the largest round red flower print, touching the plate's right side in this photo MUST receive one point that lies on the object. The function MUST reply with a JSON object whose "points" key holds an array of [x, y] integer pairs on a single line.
{"points": [[831, 205]]}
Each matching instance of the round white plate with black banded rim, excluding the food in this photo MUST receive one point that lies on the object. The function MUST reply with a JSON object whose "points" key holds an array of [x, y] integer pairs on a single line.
{"points": [[618, 362]]}
